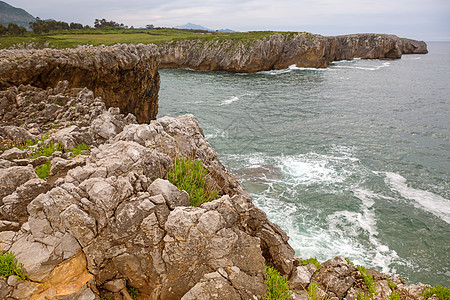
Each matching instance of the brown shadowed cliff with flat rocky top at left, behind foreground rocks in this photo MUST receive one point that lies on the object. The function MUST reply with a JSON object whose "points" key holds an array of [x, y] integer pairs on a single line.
{"points": [[125, 76]]}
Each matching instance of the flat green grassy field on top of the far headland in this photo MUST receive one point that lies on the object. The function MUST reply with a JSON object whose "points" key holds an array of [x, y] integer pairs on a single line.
{"points": [[73, 38]]}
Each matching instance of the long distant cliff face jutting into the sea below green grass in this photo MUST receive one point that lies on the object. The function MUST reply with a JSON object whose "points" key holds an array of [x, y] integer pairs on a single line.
{"points": [[281, 51]]}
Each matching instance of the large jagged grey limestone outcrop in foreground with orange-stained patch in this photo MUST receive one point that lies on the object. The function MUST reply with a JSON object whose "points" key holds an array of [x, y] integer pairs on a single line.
{"points": [[103, 223]]}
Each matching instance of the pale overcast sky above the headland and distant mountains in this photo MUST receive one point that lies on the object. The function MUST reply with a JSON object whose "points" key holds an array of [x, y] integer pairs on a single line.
{"points": [[427, 20]]}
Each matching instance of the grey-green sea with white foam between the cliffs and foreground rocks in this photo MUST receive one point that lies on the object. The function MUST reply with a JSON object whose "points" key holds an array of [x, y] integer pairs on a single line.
{"points": [[353, 159]]}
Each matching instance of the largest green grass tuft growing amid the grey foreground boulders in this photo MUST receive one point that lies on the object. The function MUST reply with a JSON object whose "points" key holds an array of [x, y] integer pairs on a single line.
{"points": [[189, 175]]}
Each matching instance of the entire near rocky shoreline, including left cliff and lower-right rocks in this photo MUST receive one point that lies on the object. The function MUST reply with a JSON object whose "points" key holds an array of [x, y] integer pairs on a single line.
{"points": [[104, 223]]}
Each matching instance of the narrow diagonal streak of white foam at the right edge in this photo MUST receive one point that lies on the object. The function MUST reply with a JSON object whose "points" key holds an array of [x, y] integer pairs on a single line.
{"points": [[435, 204]]}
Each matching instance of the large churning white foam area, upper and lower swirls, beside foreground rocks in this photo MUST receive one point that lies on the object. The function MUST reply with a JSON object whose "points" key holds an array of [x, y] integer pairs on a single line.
{"points": [[353, 234]]}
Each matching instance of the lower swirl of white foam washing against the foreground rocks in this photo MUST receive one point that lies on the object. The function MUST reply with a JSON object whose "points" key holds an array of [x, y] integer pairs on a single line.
{"points": [[345, 228]]}
